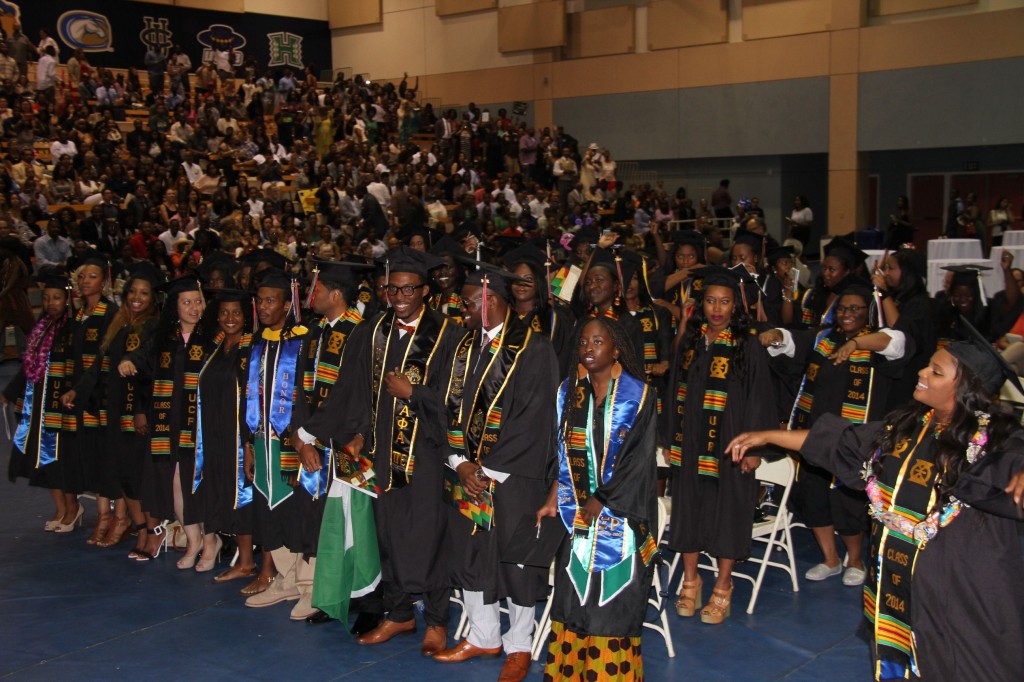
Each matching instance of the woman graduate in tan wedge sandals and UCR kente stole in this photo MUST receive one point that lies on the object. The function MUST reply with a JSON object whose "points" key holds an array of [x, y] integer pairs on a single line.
{"points": [[721, 380]]}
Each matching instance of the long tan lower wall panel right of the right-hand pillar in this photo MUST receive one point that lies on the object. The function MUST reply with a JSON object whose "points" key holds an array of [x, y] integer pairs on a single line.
{"points": [[971, 38]]}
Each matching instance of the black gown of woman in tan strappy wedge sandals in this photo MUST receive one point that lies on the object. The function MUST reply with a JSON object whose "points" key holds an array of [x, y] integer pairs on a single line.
{"points": [[716, 516]]}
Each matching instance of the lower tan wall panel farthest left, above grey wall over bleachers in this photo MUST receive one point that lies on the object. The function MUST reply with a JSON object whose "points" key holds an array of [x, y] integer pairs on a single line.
{"points": [[633, 73]]}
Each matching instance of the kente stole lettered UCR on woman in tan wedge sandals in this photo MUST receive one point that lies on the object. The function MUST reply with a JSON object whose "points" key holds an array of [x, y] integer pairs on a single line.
{"points": [[713, 407]]}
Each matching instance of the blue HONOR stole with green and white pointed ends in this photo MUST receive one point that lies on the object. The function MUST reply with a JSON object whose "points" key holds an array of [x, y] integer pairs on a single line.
{"points": [[271, 394]]}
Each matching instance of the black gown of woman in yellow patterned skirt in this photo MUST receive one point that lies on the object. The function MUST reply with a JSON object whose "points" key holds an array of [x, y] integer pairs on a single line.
{"points": [[631, 493]]}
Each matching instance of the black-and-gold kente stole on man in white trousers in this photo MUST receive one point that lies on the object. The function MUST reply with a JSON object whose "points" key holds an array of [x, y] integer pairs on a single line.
{"points": [[477, 420]]}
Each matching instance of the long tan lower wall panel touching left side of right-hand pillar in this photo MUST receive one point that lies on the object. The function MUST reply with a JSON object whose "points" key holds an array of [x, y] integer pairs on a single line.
{"points": [[775, 60]]}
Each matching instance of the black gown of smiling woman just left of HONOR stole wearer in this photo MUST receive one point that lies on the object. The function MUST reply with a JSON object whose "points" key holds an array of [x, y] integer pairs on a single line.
{"points": [[223, 388]]}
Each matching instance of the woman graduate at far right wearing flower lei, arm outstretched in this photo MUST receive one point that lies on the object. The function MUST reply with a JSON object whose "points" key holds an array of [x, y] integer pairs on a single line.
{"points": [[944, 601]]}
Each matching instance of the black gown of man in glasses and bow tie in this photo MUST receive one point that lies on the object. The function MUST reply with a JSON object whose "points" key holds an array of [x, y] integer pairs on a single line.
{"points": [[411, 519]]}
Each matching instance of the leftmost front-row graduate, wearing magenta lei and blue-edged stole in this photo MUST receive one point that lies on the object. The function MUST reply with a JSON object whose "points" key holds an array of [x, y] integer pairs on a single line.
{"points": [[34, 455]]}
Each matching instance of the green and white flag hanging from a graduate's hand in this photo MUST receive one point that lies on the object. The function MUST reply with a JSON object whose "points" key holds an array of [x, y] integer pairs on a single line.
{"points": [[349, 563]]}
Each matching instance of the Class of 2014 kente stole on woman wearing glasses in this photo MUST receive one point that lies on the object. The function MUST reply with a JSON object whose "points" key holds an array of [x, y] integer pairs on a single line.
{"points": [[859, 386]]}
